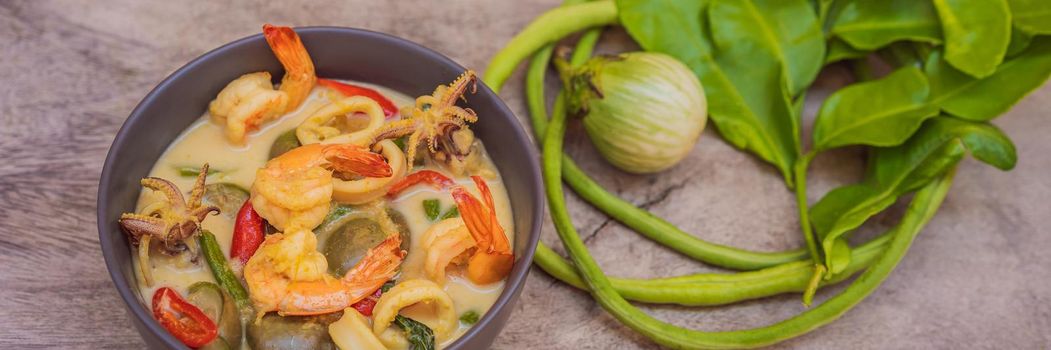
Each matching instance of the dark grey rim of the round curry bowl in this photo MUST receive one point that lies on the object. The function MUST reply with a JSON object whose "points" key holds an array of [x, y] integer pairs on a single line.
{"points": [[514, 282]]}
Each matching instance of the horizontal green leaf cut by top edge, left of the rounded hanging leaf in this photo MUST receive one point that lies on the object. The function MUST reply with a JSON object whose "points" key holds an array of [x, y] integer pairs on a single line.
{"points": [[871, 25]]}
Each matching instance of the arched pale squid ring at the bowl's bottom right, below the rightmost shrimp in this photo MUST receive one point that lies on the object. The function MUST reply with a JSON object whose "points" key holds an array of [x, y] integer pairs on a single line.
{"points": [[409, 293]]}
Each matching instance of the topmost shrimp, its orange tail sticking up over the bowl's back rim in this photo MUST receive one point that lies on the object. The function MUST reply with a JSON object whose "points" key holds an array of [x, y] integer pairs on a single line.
{"points": [[250, 101]]}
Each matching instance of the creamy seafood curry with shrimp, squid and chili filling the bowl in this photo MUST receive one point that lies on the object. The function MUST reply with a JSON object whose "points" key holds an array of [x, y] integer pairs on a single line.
{"points": [[315, 213]]}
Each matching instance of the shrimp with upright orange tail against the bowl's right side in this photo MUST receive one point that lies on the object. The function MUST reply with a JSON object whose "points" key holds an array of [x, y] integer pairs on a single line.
{"points": [[451, 242]]}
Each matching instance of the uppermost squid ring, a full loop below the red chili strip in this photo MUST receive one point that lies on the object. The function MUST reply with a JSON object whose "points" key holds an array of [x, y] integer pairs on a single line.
{"points": [[318, 128]]}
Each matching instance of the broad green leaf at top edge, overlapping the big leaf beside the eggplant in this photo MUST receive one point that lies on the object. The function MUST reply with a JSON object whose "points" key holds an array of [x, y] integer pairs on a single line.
{"points": [[788, 31]]}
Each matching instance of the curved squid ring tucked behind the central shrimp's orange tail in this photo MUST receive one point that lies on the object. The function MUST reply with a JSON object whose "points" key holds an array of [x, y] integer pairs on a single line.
{"points": [[364, 191]]}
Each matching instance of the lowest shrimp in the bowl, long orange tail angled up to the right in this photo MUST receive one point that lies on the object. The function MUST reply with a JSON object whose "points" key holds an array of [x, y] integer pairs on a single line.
{"points": [[288, 275]]}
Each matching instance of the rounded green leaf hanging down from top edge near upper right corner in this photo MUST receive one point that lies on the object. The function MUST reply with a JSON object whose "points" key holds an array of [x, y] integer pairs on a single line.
{"points": [[977, 34]]}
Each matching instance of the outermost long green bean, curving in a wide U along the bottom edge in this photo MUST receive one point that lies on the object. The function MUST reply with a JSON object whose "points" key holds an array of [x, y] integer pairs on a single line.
{"points": [[923, 208]]}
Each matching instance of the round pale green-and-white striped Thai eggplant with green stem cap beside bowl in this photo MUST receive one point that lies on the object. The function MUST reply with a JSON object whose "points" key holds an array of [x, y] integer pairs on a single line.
{"points": [[643, 111]]}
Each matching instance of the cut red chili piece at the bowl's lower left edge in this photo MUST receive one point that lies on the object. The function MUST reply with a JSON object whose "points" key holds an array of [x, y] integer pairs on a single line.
{"points": [[182, 319]]}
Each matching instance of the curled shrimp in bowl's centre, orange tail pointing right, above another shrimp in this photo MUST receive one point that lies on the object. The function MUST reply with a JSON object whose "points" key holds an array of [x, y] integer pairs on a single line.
{"points": [[296, 190]]}
